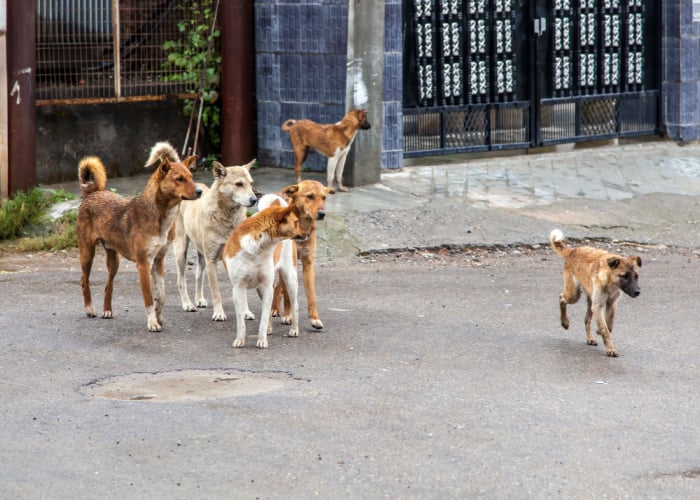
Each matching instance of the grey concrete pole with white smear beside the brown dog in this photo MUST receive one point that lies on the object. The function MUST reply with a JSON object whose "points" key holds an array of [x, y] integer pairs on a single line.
{"points": [[365, 75]]}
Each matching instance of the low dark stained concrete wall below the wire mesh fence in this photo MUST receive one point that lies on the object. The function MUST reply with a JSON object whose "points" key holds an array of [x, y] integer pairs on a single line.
{"points": [[120, 134]]}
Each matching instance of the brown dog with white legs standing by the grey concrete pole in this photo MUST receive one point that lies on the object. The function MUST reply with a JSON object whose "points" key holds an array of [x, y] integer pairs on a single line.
{"points": [[332, 140]]}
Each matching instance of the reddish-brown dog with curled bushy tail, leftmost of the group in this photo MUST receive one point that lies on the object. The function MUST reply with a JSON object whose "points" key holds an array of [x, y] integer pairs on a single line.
{"points": [[139, 229]]}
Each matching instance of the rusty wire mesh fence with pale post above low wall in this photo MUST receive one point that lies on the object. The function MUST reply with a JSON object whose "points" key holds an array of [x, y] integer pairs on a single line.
{"points": [[119, 50]]}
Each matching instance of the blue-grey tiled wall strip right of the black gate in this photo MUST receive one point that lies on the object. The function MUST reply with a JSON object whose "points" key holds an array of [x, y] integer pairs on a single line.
{"points": [[681, 79]]}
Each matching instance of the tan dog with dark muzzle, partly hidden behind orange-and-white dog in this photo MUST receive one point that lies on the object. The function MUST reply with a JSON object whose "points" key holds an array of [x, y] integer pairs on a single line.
{"points": [[309, 201]]}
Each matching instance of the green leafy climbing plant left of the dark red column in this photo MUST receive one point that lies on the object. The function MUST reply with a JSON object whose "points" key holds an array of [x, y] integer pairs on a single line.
{"points": [[195, 59]]}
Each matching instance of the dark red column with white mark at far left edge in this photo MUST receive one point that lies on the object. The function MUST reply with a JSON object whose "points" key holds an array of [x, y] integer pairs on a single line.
{"points": [[21, 78]]}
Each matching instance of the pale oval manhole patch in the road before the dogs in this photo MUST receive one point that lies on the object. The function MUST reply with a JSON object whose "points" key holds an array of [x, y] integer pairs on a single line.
{"points": [[185, 385]]}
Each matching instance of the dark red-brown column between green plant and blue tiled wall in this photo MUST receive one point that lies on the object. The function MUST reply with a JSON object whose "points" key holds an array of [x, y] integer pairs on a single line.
{"points": [[238, 123]]}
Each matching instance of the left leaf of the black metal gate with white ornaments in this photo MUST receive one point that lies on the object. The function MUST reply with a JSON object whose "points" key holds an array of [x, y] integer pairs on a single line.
{"points": [[470, 79]]}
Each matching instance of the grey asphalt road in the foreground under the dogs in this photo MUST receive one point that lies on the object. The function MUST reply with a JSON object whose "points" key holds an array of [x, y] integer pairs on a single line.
{"points": [[437, 376]]}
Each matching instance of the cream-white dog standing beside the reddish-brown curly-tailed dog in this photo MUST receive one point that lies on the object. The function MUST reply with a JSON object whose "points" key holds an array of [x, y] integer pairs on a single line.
{"points": [[208, 222]]}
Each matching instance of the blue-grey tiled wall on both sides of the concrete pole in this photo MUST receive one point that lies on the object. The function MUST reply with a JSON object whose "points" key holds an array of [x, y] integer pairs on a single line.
{"points": [[301, 48]]}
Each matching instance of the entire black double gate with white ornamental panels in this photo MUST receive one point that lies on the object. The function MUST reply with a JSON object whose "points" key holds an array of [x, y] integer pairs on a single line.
{"points": [[493, 74]]}
